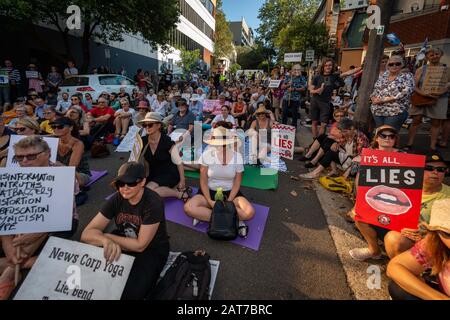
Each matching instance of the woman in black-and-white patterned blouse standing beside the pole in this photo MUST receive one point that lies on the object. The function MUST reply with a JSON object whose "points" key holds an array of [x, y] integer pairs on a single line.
{"points": [[391, 96]]}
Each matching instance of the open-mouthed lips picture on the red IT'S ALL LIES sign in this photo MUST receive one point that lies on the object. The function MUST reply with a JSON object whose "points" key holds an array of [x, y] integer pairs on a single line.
{"points": [[388, 200]]}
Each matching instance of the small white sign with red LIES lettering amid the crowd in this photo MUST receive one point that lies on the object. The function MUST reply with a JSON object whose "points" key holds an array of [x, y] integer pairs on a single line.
{"points": [[283, 141]]}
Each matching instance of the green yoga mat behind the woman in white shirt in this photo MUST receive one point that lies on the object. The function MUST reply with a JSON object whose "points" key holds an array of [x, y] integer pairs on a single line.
{"points": [[253, 178]]}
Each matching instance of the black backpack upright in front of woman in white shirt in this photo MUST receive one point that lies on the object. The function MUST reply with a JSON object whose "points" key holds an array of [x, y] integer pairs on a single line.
{"points": [[224, 223]]}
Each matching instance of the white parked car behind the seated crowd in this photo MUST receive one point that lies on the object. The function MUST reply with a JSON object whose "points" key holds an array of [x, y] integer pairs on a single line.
{"points": [[95, 84]]}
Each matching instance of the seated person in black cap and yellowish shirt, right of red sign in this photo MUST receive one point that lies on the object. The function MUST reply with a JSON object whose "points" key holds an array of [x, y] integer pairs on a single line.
{"points": [[398, 242]]}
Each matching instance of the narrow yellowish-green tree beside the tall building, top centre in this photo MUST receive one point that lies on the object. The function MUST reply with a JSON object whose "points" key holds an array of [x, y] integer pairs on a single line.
{"points": [[223, 38]]}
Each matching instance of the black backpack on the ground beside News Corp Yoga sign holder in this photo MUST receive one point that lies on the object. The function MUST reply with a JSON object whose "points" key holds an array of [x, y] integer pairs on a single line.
{"points": [[188, 278]]}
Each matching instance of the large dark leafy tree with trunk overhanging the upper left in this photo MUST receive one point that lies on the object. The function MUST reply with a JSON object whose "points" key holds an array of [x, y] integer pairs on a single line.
{"points": [[102, 20]]}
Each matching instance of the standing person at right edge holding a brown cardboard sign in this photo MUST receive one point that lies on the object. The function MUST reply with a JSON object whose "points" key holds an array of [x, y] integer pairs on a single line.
{"points": [[437, 110]]}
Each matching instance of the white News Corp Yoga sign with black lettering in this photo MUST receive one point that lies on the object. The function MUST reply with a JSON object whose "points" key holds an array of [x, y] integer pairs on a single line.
{"points": [[69, 270]]}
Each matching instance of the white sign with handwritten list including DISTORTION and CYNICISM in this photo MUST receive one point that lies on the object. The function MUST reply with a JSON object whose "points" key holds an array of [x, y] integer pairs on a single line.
{"points": [[38, 199]]}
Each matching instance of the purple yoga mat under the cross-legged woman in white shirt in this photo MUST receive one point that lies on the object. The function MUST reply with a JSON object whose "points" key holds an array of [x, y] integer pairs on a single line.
{"points": [[174, 210]]}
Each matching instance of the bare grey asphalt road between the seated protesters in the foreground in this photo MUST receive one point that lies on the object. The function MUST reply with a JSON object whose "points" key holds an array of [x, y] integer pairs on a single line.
{"points": [[297, 258]]}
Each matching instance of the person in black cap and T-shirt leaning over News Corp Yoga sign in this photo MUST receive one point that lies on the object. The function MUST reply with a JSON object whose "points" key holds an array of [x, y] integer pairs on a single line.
{"points": [[138, 213]]}
